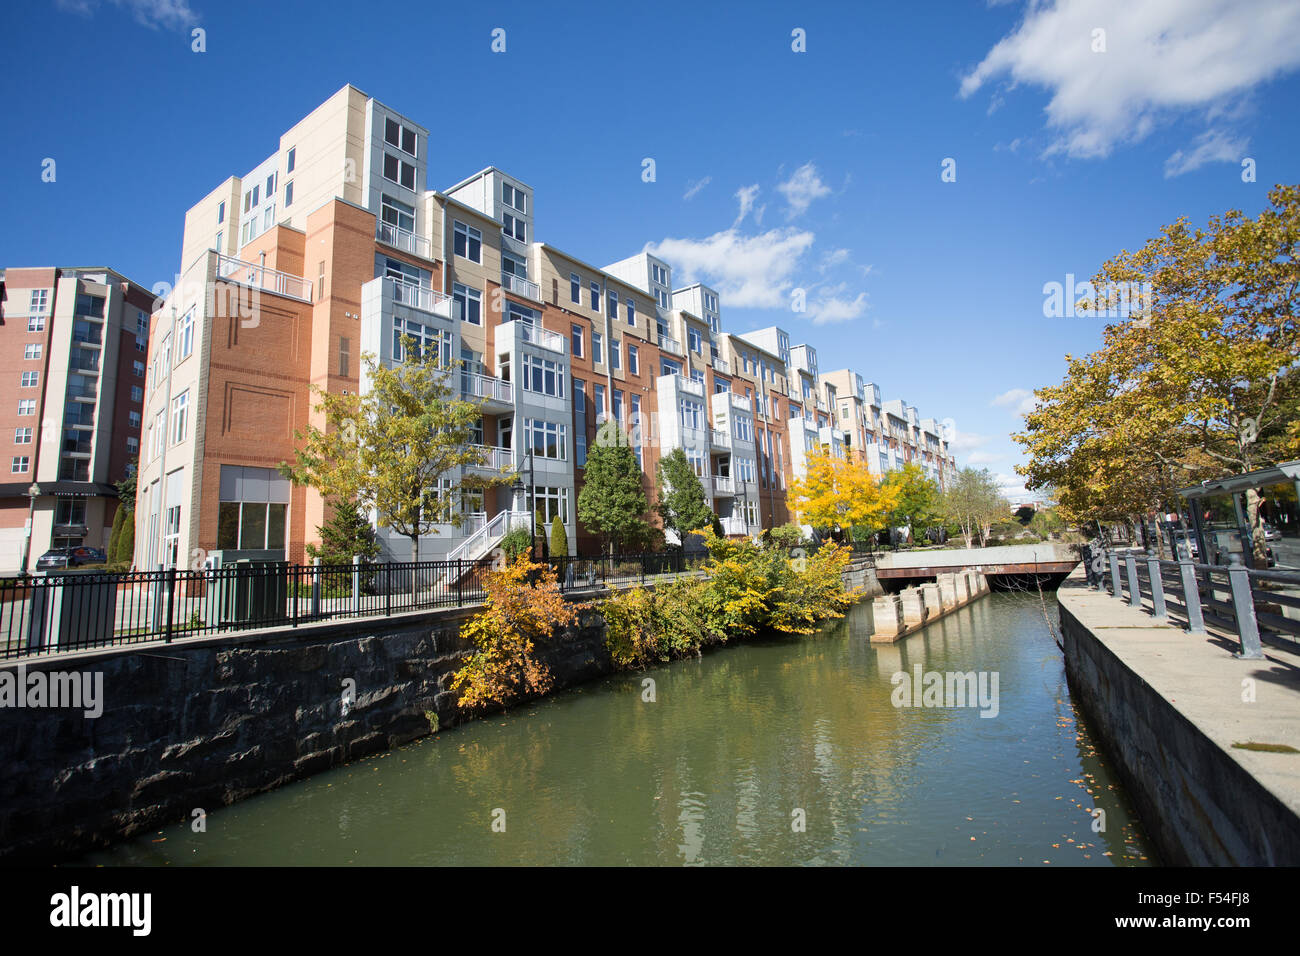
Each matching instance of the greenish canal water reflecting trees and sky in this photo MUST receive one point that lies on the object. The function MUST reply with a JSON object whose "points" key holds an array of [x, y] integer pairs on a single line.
{"points": [[783, 751]]}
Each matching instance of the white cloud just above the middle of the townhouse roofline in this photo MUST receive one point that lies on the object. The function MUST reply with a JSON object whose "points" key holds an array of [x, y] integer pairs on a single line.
{"points": [[748, 271]]}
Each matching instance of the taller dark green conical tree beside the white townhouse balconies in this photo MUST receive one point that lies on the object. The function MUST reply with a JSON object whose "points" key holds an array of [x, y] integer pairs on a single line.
{"points": [[613, 504]]}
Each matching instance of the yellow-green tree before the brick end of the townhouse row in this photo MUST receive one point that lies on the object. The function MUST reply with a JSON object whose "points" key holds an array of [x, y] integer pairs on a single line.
{"points": [[392, 449]]}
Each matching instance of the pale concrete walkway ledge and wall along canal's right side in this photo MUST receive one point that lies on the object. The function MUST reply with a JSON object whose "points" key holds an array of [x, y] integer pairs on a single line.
{"points": [[1169, 708]]}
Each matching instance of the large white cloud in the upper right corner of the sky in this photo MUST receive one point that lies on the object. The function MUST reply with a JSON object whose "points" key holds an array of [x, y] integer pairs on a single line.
{"points": [[1163, 58]]}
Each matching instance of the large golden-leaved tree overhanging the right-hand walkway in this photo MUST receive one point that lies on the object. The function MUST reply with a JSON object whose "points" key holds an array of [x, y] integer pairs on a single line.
{"points": [[1199, 380]]}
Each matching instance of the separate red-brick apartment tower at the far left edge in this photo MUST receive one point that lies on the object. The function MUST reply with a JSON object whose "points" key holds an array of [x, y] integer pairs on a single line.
{"points": [[72, 379]]}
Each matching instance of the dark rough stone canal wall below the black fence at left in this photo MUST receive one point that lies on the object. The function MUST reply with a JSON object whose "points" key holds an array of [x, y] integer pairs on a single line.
{"points": [[205, 724]]}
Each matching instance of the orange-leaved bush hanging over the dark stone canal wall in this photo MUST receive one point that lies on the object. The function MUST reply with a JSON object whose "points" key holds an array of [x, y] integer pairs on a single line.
{"points": [[525, 607]]}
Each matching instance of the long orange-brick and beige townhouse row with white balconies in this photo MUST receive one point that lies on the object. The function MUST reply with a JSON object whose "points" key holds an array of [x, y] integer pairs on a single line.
{"points": [[336, 246]]}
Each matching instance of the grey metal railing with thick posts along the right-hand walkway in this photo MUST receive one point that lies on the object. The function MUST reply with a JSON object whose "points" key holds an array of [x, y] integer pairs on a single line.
{"points": [[1232, 599]]}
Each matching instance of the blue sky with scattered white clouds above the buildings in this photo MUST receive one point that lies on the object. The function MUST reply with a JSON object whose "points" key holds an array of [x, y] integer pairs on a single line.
{"points": [[774, 170]]}
